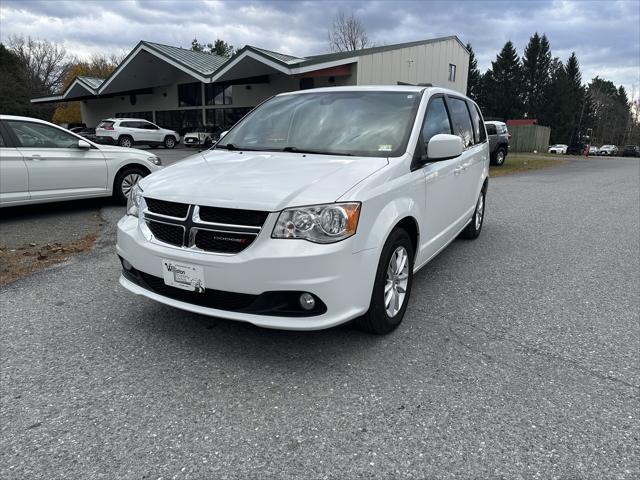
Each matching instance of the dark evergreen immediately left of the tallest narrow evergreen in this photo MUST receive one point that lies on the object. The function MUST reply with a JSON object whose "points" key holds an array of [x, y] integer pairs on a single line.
{"points": [[503, 85]]}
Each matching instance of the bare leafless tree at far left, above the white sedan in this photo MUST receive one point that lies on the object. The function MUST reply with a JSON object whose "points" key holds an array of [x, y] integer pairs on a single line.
{"points": [[47, 64]]}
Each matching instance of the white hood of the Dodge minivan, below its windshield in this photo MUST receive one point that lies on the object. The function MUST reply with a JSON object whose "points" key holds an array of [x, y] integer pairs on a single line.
{"points": [[259, 180]]}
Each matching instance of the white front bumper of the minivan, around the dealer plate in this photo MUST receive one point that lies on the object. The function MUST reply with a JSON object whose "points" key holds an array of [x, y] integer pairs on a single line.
{"points": [[268, 274]]}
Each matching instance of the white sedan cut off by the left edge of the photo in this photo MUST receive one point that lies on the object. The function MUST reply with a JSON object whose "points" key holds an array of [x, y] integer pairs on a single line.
{"points": [[42, 162]]}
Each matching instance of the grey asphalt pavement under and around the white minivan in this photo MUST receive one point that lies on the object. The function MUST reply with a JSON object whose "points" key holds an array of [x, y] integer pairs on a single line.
{"points": [[518, 358]]}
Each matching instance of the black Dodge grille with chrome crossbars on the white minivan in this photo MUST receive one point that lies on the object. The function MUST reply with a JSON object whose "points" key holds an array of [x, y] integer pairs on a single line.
{"points": [[210, 229]]}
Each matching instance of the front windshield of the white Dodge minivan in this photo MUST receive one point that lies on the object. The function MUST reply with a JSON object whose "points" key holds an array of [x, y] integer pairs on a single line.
{"points": [[363, 123]]}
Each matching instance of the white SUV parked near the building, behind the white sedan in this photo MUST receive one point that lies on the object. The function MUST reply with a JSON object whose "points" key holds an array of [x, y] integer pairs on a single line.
{"points": [[127, 132]]}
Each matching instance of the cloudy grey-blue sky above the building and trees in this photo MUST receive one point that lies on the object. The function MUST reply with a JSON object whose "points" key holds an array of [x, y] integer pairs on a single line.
{"points": [[605, 35]]}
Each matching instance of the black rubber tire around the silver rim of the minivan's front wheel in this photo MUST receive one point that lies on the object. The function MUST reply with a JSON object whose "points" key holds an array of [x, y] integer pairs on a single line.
{"points": [[377, 320]]}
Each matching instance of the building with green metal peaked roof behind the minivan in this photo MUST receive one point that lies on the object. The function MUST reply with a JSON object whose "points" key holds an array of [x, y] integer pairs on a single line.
{"points": [[181, 89]]}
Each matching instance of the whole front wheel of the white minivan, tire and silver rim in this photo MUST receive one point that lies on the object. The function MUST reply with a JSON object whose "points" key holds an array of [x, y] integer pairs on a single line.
{"points": [[392, 286]]}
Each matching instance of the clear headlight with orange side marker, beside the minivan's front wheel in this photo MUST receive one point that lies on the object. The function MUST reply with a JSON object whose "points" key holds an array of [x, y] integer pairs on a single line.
{"points": [[318, 223]]}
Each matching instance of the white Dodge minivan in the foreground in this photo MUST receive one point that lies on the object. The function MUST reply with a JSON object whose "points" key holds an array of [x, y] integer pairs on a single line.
{"points": [[315, 209]]}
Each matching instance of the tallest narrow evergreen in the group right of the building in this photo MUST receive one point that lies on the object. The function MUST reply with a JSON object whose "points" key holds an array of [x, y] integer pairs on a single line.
{"points": [[536, 64]]}
